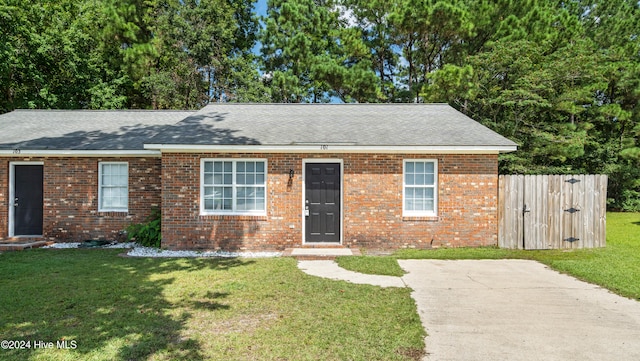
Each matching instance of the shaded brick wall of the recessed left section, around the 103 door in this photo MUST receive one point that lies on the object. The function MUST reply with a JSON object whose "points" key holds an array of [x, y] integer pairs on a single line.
{"points": [[71, 197]]}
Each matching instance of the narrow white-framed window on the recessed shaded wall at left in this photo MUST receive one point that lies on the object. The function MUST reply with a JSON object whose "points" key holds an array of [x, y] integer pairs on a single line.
{"points": [[113, 186]]}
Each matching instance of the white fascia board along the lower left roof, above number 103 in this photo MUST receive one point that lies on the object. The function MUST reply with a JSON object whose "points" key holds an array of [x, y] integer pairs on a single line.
{"points": [[78, 153]]}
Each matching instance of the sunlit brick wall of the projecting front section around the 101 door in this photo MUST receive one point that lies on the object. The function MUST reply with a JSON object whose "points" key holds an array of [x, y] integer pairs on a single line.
{"points": [[372, 204]]}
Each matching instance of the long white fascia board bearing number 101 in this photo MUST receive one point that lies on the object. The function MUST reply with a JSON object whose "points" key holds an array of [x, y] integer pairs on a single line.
{"points": [[329, 148]]}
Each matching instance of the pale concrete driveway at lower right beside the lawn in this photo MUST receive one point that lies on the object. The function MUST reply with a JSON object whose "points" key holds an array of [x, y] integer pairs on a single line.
{"points": [[519, 310]]}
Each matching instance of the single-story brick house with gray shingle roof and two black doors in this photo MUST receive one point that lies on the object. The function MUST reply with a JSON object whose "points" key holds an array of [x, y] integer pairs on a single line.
{"points": [[254, 176]]}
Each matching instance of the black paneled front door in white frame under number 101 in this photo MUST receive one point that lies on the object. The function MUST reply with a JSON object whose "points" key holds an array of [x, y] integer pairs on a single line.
{"points": [[322, 203]]}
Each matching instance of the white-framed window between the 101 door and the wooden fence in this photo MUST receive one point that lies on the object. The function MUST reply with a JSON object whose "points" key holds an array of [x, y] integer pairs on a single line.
{"points": [[420, 187]]}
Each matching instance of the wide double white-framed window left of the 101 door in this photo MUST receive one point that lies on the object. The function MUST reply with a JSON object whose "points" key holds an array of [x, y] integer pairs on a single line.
{"points": [[233, 186]]}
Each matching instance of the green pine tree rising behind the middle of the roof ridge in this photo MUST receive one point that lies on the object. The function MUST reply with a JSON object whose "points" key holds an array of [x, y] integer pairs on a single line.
{"points": [[310, 56]]}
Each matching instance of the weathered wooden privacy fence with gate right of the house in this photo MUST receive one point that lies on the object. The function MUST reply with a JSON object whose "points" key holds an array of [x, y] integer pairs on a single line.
{"points": [[552, 211]]}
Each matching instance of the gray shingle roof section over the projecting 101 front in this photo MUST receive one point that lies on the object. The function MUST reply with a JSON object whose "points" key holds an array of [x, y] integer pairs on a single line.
{"points": [[359, 124]]}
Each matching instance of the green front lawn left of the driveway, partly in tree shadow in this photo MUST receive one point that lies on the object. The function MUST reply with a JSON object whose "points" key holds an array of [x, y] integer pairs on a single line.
{"points": [[117, 308]]}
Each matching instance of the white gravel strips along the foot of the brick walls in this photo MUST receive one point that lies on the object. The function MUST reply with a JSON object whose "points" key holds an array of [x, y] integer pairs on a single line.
{"points": [[141, 251]]}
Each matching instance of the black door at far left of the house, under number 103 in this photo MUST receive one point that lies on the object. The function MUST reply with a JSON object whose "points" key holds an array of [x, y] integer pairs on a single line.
{"points": [[27, 215]]}
